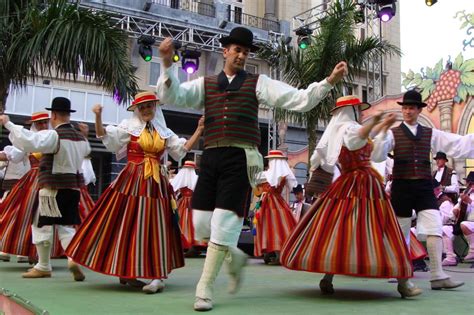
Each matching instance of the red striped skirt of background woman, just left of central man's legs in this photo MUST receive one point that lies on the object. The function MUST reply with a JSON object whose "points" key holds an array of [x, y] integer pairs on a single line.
{"points": [[185, 212]]}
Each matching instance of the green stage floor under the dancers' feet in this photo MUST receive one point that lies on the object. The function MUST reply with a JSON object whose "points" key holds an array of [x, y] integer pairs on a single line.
{"points": [[266, 290]]}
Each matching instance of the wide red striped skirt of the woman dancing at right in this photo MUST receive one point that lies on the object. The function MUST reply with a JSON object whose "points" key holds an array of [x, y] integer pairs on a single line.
{"points": [[351, 230]]}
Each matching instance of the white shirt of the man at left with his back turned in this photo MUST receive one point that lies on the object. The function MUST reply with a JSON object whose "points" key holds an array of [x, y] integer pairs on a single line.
{"points": [[68, 160]]}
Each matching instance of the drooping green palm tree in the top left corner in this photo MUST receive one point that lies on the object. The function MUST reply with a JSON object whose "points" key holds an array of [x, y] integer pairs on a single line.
{"points": [[53, 38]]}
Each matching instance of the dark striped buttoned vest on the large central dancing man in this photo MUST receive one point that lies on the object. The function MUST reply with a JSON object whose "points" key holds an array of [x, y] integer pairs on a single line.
{"points": [[231, 110]]}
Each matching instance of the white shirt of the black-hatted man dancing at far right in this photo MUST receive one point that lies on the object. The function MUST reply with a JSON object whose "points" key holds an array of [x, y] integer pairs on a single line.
{"points": [[454, 145]]}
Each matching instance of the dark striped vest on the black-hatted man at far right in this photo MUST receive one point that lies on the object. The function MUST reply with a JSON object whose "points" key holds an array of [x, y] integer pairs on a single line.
{"points": [[412, 153]]}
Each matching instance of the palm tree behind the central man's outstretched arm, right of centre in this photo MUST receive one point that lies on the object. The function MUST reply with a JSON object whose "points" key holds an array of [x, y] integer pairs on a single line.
{"points": [[333, 41]]}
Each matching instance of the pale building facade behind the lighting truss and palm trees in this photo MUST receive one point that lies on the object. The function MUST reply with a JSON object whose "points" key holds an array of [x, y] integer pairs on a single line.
{"points": [[197, 24]]}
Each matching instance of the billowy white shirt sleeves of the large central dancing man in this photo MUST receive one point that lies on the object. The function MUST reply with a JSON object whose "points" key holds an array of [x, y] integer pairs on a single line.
{"points": [[269, 92]]}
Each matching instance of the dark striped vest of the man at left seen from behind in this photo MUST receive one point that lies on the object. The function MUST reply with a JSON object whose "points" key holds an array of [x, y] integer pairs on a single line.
{"points": [[46, 177]]}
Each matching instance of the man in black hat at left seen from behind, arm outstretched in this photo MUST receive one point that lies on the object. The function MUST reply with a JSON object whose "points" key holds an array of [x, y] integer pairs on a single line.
{"points": [[60, 178]]}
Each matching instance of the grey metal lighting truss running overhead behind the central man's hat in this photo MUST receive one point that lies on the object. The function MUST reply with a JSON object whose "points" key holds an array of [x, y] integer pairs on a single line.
{"points": [[189, 34]]}
